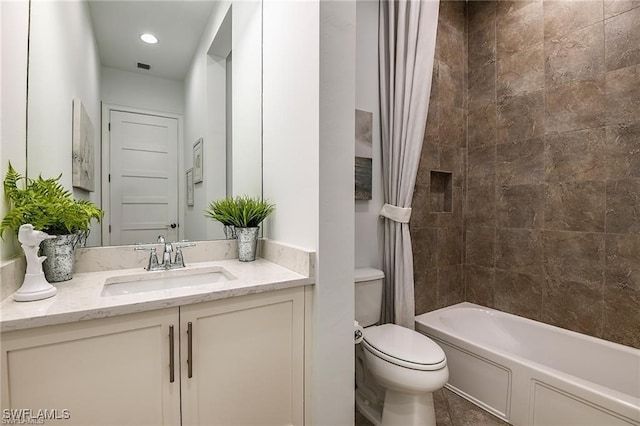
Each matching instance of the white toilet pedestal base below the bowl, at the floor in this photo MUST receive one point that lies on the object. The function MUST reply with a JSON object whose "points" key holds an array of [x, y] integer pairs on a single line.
{"points": [[408, 409]]}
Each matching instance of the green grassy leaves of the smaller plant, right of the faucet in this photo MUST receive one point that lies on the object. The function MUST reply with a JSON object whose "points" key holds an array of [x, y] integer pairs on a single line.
{"points": [[241, 212]]}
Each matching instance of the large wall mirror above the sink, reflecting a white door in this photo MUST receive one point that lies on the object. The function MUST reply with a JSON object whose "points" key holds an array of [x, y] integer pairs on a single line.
{"points": [[157, 130]]}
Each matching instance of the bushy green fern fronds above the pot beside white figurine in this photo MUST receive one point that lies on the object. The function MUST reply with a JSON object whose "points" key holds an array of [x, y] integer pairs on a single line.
{"points": [[47, 205]]}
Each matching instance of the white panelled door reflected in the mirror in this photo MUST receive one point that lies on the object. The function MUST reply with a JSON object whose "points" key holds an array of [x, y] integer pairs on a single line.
{"points": [[143, 173]]}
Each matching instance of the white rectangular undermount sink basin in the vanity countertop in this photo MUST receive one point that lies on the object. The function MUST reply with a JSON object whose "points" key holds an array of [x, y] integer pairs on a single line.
{"points": [[164, 280]]}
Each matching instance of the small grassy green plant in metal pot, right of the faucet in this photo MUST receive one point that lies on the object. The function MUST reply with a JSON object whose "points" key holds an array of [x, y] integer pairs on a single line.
{"points": [[245, 214]]}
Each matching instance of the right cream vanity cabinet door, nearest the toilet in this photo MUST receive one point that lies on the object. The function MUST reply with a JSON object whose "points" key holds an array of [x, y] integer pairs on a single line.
{"points": [[247, 360]]}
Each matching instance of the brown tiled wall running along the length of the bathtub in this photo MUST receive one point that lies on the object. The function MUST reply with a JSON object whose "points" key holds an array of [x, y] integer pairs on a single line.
{"points": [[552, 220]]}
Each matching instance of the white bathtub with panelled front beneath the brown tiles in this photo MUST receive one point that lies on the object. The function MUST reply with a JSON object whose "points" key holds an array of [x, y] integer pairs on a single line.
{"points": [[530, 373]]}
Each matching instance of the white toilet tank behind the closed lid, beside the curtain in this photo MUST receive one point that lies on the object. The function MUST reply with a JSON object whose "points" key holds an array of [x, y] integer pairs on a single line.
{"points": [[368, 295]]}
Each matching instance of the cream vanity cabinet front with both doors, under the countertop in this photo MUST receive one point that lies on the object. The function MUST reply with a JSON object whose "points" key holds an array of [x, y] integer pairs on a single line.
{"points": [[236, 361]]}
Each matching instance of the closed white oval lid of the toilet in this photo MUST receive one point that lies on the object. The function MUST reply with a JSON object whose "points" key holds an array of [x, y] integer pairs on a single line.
{"points": [[404, 347]]}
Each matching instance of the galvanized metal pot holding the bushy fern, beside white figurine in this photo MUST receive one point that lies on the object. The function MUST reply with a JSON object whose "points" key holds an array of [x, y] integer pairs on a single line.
{"points": [[60, 254]]}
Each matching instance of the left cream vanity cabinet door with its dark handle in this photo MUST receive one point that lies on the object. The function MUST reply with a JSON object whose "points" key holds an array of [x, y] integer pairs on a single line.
{"points": [[110, 371]]}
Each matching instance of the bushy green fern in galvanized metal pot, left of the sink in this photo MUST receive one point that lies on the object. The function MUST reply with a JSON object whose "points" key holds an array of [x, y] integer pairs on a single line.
{"points": [[49, 207]]}
